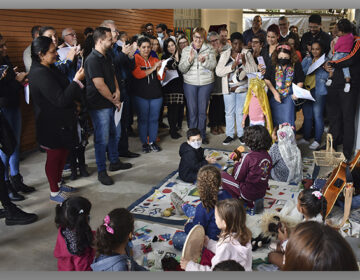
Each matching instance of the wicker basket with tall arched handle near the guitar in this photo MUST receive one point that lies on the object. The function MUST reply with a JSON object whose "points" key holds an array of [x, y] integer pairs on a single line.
{"points": [[328, 157]]}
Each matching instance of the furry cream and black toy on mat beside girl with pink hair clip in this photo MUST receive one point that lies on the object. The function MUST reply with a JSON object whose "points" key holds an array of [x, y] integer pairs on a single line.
{"points": [[272, 222]]}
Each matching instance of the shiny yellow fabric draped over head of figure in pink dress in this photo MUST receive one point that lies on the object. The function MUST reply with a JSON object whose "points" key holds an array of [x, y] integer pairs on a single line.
{"points": [[258, 86]]}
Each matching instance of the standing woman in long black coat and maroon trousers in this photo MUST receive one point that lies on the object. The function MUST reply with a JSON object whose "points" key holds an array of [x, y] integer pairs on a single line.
{"points": [[53, 97]]}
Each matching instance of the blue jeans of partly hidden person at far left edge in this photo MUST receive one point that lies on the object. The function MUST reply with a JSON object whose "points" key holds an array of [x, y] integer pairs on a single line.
{"points": [[13, 116]]}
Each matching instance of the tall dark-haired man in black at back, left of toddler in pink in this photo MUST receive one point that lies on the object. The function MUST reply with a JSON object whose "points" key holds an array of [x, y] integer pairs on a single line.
{"points": [[315, 34]]}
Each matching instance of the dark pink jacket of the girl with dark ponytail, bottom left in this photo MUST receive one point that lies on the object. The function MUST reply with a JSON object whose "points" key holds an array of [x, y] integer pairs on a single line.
{"points": [[69, 262]]}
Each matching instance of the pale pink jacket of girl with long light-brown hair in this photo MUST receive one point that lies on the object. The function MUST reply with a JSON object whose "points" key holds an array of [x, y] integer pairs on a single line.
{"points": [[225, 249]]}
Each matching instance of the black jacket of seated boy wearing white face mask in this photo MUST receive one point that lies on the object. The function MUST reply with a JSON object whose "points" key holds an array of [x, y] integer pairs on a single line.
{"points": [[190, 163]]}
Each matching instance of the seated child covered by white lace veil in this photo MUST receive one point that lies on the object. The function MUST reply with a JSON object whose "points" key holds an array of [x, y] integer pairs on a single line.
{"points": [[285, 155]]}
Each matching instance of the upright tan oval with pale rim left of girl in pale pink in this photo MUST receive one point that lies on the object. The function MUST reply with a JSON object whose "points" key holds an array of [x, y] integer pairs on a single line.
{"points": [[194, 244]]}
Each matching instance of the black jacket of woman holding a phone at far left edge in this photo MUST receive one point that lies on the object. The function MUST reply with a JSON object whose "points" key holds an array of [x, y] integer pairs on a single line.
{"points": [[9, 87]]}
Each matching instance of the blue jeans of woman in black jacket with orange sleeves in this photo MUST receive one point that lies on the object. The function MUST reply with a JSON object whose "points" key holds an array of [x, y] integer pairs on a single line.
{"points": [[148, 111]]}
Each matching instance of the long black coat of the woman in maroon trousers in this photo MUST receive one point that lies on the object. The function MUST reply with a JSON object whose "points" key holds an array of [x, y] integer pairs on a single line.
{"points": [[53, 98]]}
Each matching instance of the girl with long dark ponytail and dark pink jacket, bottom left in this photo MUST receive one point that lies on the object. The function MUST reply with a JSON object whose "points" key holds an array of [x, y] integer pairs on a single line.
{"points": [[73, 248]]}
